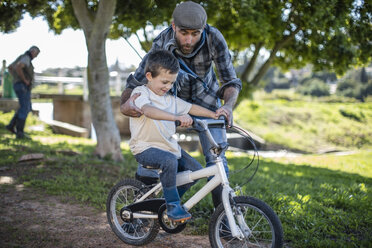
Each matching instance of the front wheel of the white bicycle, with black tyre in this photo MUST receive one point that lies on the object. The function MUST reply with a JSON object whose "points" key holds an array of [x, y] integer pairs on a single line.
{"points": [[265, 226]]}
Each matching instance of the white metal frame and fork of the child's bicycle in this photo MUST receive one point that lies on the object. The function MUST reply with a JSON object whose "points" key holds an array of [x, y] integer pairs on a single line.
{"points": [[219, 177]]}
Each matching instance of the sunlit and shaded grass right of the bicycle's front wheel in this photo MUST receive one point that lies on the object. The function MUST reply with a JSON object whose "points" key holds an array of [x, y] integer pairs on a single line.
{"points": [[320, 202]]}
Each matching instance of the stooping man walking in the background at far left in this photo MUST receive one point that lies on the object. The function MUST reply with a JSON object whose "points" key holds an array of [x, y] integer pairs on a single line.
{"points": [[22, 71]]}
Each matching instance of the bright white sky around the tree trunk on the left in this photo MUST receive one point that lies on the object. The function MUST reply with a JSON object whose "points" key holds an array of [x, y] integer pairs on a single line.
{"points": [[66, 50]]}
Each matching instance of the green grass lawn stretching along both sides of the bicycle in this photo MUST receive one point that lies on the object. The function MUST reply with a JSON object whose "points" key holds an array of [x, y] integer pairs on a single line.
{"points": [[322, 200]]}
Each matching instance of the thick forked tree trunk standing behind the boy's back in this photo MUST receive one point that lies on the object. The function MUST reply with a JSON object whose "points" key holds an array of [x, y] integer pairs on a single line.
{"points": [[96, 27]]}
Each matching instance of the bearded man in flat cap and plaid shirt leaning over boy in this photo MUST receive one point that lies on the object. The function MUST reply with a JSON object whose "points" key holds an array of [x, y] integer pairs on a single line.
{"points": [[196, 45]]}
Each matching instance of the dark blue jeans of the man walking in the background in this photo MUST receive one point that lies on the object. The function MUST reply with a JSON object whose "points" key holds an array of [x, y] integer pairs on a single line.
{"points": [[23, 93]]}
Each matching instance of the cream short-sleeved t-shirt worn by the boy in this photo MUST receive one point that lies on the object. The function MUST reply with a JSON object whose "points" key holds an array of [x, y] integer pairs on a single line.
{"points": [[146, 132]]}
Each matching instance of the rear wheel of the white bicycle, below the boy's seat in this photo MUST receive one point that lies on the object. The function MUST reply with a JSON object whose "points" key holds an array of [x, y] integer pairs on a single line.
{"points": [[139, 231]]}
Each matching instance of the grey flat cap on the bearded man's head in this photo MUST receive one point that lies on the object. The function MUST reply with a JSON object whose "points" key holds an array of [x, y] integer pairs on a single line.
{"points": [[189, 15]]}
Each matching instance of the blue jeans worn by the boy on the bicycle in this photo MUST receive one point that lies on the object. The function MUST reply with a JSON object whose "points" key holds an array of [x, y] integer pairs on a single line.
{"points": [[168, 164]]}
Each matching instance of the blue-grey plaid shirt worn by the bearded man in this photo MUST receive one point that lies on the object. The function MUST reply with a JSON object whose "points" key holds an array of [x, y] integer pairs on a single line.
{"points": [[196, 82]]}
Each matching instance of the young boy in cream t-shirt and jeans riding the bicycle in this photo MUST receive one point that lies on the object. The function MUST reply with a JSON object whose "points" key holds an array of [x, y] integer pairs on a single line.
{"points": [[152, 141]]}
